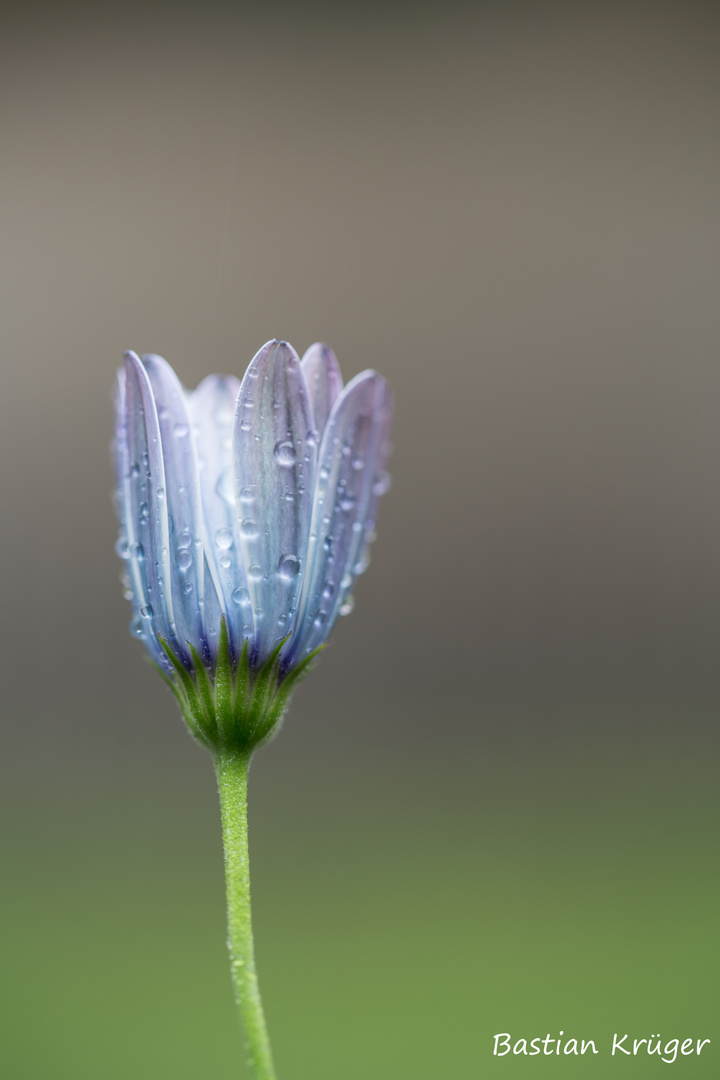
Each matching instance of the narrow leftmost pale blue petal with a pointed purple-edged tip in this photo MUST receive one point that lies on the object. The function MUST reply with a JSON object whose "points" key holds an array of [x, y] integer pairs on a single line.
{"points": [[146, 512]]}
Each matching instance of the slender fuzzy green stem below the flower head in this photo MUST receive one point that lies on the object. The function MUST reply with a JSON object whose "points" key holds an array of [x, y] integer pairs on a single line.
{"points": [[233, 768]]}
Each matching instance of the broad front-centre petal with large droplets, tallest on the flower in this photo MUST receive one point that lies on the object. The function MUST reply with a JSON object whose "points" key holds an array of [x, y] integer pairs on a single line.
{"points": [[275, 454]]}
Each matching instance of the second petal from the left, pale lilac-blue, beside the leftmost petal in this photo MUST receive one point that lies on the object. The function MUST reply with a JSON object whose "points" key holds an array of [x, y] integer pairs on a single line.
{"points": [[185, 517]]}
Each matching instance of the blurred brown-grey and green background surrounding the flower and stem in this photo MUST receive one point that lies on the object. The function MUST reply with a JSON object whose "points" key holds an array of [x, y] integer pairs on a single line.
{"points": [[494, 807]]}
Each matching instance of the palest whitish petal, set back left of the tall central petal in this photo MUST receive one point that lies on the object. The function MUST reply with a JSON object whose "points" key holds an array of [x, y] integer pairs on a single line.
{"points": [[212, 408]]}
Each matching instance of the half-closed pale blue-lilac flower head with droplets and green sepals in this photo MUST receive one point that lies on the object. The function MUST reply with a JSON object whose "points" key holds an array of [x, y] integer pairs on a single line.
{"points": [[247, 512]]}
